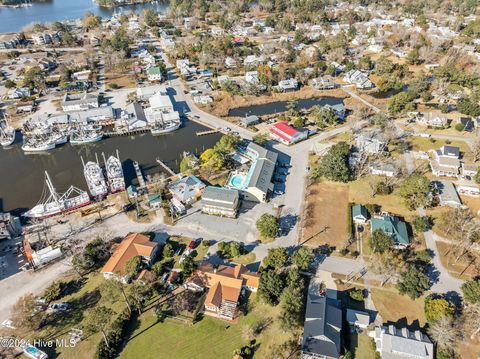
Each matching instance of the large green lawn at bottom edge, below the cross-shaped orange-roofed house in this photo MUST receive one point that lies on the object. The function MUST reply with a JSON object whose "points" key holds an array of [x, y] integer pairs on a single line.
{"points": [[209, 338]]}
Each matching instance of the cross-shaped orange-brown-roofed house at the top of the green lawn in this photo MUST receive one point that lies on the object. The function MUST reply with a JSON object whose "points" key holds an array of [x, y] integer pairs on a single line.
{"points": [[225, 285]]}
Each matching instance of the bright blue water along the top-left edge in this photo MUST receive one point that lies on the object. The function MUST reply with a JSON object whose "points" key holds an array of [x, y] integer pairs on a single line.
{"points": [[14, 19]]}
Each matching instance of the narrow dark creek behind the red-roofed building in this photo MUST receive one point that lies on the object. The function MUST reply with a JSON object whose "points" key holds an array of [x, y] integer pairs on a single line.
{"points": [[281, 106]]}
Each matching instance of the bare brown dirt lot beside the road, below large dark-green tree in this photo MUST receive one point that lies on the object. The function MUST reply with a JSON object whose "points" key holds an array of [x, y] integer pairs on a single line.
{"points": [[326, 215]]}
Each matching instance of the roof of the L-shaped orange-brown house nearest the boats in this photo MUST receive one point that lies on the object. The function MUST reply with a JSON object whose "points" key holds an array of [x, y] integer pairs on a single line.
{"points": [[134, 244]]}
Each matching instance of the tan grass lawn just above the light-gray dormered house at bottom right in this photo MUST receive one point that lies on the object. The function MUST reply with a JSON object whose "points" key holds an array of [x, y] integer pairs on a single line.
{"points": [[393, 307]]}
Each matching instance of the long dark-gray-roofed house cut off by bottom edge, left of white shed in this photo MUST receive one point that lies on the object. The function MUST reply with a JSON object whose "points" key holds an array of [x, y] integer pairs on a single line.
{"points": [[322, 327]]}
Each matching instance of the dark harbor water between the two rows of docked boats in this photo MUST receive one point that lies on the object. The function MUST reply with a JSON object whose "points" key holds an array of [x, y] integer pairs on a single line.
{"points": [[22, 175]]}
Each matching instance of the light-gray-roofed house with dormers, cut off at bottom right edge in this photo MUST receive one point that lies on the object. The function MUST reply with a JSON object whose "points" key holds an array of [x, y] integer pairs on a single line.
{"points": [[393, 343]]}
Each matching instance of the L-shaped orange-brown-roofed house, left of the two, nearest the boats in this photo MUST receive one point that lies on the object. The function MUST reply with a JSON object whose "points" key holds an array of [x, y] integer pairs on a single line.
{"points": [[134, 244]]}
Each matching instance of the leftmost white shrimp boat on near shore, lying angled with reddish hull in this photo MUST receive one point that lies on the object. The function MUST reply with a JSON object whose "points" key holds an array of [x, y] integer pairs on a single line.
{"points": [[56, 203]]}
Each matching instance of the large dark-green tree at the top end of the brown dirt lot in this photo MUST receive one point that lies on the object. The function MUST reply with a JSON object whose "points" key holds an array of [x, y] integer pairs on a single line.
{"points": [[334, 164]]}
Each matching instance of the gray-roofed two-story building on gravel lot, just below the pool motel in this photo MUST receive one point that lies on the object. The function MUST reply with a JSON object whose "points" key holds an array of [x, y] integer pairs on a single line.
{"points": [[220, 201]]}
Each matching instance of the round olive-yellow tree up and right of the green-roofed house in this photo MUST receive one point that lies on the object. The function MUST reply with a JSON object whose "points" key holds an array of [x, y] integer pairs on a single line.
{"points": [[414, 190]]}
